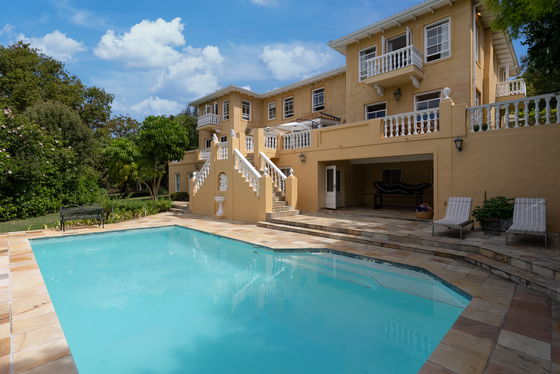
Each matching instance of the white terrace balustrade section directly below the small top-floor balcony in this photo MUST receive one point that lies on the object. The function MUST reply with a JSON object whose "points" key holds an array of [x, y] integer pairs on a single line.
{"points": [[413, 123]]}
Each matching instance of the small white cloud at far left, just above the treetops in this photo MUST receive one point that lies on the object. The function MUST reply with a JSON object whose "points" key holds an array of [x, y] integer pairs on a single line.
{"points": [[55, 44]]}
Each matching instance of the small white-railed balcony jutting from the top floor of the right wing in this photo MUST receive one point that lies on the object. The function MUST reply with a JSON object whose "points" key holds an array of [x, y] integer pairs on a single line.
{"points": [[394, 68]]}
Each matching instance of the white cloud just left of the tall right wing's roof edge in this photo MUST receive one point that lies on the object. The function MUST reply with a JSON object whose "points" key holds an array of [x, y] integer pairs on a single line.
{"points": [[295, 61]]}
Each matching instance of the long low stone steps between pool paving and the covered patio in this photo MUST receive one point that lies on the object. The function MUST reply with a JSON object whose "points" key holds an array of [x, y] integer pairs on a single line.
{"points": [[535, 273]]}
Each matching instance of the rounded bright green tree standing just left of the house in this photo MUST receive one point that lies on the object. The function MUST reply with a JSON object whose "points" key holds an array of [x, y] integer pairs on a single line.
{"points": [[159, 140]]}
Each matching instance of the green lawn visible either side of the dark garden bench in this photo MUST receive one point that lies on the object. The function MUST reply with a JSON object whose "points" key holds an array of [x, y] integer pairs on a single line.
{"points": [[52, 220]]}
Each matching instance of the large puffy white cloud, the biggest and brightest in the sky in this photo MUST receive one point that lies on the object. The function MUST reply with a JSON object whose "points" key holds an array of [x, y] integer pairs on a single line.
{"points": [[146, 44]]}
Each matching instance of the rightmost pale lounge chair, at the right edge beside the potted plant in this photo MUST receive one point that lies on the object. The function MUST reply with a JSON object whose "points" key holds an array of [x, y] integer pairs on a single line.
{"points": [[529, 218]]}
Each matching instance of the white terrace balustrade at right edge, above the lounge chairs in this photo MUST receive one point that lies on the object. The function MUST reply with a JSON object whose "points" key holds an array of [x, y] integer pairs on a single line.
{"points": [[530, 111]]}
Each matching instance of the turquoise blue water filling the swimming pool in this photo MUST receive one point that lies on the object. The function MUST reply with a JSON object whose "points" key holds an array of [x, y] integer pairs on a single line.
{"points": [[174, 300]]}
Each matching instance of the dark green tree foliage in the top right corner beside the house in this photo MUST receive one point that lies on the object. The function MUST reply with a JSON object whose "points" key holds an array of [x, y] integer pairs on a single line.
{"points": [[537, 21]]}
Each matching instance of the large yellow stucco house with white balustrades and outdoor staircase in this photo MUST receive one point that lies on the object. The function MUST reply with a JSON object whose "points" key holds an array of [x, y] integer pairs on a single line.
{"points": [[427, 96]]}
